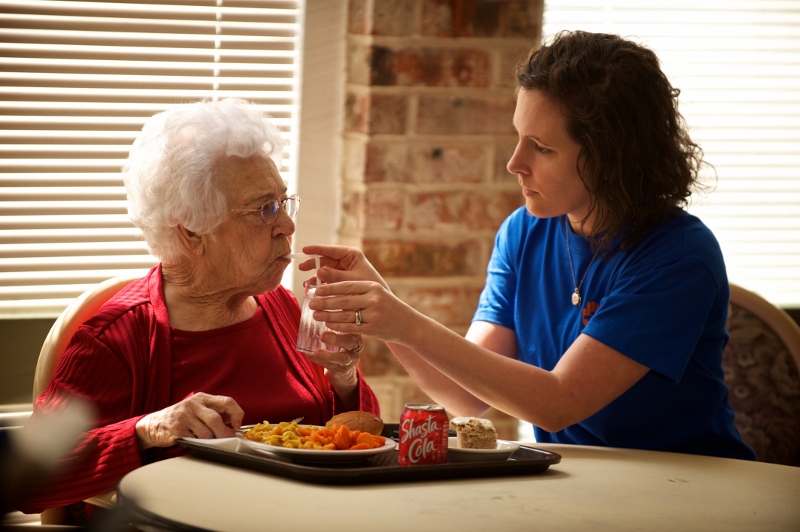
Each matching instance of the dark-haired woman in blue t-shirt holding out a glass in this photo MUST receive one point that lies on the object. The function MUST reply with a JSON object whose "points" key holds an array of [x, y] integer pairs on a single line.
{"points": [[602, 321]]}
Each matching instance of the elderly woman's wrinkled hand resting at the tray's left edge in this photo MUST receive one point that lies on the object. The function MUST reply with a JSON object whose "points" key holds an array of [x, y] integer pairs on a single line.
{"points": [[198, 416]]}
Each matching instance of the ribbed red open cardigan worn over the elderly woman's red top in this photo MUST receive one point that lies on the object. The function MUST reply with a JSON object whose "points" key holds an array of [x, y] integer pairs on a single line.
{"points": [[120, 360]]}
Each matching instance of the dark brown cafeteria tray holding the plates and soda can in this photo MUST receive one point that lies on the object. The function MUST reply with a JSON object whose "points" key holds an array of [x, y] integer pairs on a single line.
{"points": [[378, 468]]}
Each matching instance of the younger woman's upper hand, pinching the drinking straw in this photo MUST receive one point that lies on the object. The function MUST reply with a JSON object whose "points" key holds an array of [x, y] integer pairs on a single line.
{"points": [[341, 263]]}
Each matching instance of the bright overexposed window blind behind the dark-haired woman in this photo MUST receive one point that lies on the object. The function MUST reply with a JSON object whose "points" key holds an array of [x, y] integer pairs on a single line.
{"points": [[737, 64]]}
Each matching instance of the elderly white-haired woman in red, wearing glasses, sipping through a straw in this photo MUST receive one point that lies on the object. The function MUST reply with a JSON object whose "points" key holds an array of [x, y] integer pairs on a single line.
{"points": [[205, 341]]}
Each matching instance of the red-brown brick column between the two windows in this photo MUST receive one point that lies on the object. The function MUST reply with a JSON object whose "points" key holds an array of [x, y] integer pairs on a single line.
{"points": [[427, 134]]}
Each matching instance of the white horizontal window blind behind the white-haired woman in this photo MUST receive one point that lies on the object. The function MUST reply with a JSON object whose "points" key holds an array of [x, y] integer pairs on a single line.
{"points": [[77, 81]]}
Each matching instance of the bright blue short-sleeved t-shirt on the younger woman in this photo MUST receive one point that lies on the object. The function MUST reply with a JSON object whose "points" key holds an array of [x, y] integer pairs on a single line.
{"points": [[662, 303]]}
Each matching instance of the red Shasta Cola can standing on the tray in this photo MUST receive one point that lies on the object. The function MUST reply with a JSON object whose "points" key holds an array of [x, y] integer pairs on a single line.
{"points": [[423, 435]]}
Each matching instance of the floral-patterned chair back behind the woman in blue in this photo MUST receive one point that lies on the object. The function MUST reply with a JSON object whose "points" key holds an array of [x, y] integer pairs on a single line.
{"points": [[761, 362]]}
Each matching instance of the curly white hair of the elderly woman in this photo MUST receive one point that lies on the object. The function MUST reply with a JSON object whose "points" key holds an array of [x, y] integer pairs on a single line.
{"points": [[170, 173]]}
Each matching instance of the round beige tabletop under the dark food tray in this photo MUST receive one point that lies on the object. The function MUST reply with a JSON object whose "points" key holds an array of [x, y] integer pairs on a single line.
{"points": [[593, 488]]}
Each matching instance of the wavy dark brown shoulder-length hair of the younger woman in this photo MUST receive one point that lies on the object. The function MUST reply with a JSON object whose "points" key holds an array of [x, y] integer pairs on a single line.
{"points": [[636, 160]]}
